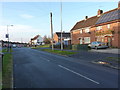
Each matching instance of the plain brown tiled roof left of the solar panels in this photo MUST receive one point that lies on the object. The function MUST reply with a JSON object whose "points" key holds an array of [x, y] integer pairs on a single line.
{"points": [[85, 23]]}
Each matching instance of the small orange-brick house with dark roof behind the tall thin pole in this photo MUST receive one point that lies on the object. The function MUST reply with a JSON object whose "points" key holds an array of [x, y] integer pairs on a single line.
{"points": [[65, 37]]}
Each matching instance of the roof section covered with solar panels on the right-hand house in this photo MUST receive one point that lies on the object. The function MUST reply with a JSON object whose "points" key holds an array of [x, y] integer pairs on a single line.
{"points": [[109, 16]]}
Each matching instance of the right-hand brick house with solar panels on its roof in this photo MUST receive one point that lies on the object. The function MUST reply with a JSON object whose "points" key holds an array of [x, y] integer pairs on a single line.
{"points": [[108, 27]]}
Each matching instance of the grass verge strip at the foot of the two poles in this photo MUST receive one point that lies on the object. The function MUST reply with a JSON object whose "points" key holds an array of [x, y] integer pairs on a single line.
{"points": [[59, 52]]}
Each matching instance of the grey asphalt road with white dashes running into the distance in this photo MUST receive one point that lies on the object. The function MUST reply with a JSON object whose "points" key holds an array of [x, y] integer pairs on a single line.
{"points": [[38, 69]]}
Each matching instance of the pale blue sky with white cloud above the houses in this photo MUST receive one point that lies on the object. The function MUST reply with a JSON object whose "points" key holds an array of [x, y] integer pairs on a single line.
{"points": [[32, 18]]}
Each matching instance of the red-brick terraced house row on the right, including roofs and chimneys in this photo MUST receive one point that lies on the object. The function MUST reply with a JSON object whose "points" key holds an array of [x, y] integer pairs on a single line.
{"points": [[104, 27]]}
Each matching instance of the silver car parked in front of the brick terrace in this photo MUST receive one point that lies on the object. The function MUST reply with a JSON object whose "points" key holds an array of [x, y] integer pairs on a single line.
{"points": [[97, 45]]}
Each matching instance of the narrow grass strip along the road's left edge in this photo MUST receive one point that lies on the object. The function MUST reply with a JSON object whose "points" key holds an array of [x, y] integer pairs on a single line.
{"points": [[7, 69]]}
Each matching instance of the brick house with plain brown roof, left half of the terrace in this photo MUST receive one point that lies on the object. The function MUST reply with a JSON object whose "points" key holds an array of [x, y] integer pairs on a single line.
{"points": [[82, 32]]}
